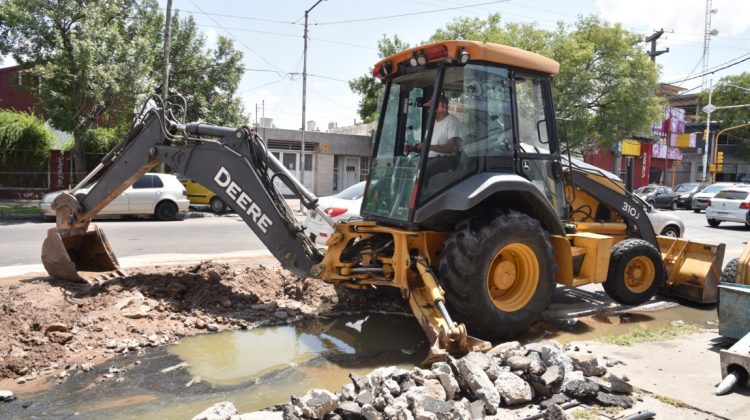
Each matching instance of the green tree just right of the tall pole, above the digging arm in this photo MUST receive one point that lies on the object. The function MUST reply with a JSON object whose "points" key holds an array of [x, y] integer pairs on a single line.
{"points": [[208, 78]]}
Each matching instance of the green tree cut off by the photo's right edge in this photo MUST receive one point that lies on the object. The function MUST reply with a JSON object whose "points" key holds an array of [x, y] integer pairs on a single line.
{"points": [[731, 90]]}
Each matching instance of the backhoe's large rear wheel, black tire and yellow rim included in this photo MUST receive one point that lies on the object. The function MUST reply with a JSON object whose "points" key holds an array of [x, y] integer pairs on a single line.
{"points": [[498, 275]]}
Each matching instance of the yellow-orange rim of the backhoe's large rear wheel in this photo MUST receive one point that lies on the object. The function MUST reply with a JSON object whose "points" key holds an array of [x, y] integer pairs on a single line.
{"points": [[513, 277]]}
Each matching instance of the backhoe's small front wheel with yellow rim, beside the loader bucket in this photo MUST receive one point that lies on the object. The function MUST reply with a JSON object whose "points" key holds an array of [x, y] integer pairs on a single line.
{"points": [[636, 272]]}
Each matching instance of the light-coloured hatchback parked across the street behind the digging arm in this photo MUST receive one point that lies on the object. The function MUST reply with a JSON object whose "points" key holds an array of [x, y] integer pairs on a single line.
{"points": [[160, 195]]}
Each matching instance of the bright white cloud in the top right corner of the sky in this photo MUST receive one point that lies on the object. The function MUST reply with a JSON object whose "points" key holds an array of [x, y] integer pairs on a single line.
{"points": [[682, 16]]}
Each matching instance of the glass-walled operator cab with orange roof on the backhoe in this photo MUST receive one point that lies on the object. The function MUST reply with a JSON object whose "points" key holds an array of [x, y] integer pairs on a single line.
{"points": [[506, 126]]}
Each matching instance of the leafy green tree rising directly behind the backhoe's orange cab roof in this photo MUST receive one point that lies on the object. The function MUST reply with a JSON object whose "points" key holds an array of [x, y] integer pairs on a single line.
{"points": [[606, 86]]}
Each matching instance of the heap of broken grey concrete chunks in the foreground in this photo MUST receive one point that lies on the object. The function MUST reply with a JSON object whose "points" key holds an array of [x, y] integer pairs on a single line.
{"points": [[474, 386]]}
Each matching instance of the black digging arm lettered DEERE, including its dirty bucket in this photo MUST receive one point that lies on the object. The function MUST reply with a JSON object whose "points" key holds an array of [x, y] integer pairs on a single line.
{"points": [[233, 163]]}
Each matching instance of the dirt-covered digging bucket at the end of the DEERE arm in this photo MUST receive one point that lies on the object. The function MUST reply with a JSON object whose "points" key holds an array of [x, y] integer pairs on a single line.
{"points": [[79, 257]]}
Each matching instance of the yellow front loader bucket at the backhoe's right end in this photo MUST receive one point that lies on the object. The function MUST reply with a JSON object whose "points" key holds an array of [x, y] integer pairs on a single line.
{"points": [[693, 269]]}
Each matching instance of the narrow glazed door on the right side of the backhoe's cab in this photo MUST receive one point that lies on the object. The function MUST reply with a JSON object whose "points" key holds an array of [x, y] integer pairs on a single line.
{"points": [[537, 146]]}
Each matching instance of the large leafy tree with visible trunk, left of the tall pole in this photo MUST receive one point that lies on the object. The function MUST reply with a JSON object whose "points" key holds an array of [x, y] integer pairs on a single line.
{"points": [[92, 58]]}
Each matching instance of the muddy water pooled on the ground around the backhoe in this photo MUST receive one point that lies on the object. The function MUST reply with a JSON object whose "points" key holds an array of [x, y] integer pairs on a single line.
{"points": [[262, 367]]}
